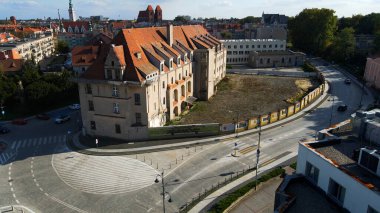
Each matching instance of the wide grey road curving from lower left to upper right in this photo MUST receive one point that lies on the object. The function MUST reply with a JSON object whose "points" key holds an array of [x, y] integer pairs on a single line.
{"points": [[34, 177]]}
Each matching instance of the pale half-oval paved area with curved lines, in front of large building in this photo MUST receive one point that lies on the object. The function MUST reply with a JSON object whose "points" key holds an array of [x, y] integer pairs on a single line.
{"points": [[102, 174]]}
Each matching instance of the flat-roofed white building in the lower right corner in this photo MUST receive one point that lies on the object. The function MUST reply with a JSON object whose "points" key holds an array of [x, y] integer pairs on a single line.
{"points": [[330, 166]]}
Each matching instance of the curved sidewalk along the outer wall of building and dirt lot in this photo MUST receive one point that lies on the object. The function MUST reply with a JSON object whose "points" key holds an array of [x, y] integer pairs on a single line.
{"points": [[77, 146]]}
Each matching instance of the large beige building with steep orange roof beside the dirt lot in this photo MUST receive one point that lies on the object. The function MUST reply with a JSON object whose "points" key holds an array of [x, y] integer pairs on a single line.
{"points": [[148, 76]]}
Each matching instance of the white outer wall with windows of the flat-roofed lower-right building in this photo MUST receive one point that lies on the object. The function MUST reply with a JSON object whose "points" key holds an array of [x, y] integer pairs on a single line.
{"points": [[357, 196]]}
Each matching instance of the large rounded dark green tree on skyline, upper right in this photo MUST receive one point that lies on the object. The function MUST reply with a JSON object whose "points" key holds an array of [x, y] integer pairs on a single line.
{"points": [[313, 30]]}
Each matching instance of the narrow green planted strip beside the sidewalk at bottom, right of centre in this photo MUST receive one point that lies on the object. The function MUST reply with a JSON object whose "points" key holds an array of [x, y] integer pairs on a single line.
{"points": [[232, 197]]}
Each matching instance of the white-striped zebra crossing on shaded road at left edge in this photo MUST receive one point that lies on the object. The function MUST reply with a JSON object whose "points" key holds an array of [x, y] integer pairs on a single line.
{"points": [[30, 143]]}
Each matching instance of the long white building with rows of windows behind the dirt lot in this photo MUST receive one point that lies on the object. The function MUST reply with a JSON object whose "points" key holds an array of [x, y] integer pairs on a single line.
{"points": [[238, 51]]}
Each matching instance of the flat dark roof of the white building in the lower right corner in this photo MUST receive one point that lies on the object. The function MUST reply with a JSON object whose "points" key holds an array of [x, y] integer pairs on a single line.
{"points": [[340, 153]]}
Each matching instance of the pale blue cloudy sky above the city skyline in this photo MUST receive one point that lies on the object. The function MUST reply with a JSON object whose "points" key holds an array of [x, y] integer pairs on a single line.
{"points": [[128, 9]]}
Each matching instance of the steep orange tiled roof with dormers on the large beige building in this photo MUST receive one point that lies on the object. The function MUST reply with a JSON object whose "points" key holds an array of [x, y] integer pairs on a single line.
{"points": [[135, 46]]}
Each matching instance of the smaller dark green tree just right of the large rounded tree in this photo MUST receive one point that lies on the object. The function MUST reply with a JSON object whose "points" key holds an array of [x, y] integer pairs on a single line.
{"points": [[343, 47]]}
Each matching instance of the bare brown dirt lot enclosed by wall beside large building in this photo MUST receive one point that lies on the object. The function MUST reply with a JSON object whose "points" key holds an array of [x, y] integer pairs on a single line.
{"points": [[250, 95]]}
